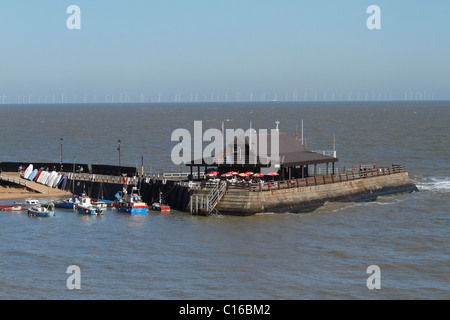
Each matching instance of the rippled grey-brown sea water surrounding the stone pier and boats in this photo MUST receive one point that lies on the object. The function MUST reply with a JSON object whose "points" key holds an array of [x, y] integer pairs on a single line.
{"points": [[319, 255]]}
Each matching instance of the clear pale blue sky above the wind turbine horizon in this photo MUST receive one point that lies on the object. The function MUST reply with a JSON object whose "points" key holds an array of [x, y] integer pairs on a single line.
{"points": [[205, 50]]}
